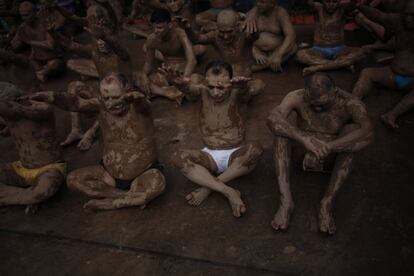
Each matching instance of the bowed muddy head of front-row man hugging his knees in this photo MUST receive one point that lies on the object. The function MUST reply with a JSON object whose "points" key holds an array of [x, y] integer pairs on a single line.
{"points": [[320, 91]]}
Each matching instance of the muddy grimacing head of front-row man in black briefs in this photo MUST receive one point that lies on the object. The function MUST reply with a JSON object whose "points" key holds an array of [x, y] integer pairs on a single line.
{"points": [[112, 88]]}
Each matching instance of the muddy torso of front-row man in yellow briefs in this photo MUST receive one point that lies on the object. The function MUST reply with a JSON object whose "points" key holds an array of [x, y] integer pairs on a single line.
{"points": [[36, 142]]}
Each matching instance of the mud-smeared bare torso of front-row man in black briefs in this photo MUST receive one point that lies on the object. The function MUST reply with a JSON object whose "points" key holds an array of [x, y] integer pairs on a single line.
{"points": [[129, 145]]}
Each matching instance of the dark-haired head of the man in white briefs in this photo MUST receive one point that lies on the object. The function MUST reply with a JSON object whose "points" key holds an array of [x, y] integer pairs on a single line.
{"points": [[218, 76]]}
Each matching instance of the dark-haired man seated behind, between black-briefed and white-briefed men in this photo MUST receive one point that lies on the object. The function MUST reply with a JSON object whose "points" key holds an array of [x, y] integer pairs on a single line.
{"points": [[177, 51]]}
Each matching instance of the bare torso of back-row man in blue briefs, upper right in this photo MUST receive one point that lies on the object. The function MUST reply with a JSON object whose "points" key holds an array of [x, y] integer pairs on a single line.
{"points": [[329, 28]]}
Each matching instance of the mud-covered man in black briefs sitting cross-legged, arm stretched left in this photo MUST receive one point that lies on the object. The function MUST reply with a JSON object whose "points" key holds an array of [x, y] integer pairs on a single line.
{"points": [[128, 174]]}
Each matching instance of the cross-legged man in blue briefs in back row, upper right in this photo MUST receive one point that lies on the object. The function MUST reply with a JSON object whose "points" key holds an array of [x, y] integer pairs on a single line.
{"points": [[329, 51]]}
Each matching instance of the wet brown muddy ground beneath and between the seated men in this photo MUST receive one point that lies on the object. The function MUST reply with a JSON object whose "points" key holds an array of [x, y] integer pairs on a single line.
{"points": [[373, 211]]}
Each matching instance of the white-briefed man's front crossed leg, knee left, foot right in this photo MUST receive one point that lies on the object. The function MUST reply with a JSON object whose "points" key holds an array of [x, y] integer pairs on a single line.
{"points": [[197, 166]]}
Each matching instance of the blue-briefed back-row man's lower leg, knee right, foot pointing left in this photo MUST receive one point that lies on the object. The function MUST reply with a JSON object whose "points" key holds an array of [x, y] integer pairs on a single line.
{"points": [[345, 59]]}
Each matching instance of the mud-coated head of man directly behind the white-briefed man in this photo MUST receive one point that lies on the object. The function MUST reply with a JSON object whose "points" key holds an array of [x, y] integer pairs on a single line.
{"points": [[228, 25]]}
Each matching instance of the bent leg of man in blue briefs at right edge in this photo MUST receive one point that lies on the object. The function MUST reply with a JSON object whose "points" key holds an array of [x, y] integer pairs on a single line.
{"points": [[370, 76]]}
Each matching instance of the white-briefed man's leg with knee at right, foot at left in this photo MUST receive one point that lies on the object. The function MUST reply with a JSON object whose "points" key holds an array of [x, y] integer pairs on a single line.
{"points": [[242, 162]]}
